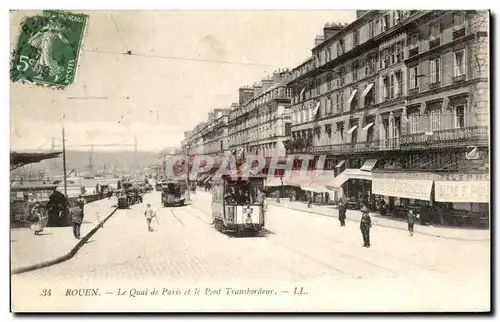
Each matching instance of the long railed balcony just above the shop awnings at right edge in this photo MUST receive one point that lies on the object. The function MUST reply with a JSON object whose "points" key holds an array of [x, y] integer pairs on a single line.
{"points": [[452, 137]]}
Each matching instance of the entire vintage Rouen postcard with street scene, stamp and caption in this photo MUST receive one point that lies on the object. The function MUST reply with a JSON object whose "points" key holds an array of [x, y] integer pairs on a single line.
{"points": [[250, 161]]}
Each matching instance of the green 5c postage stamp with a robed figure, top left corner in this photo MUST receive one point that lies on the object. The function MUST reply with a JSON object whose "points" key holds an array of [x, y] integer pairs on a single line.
{"points": [[48, 48]]}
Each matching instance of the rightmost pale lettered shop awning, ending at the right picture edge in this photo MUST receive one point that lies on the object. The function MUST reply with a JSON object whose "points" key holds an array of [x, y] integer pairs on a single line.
{"points": [[462, 191]]}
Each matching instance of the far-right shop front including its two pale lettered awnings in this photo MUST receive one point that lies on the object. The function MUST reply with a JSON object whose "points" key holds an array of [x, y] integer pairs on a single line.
{"points": [[445, 199]]}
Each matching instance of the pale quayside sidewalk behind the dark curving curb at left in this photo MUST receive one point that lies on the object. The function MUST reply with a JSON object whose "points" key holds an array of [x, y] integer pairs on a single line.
{"points": [[28, 249]]}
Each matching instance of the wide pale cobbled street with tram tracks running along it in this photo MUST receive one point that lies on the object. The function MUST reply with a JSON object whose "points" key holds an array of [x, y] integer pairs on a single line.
{"points": [[297, 247]]}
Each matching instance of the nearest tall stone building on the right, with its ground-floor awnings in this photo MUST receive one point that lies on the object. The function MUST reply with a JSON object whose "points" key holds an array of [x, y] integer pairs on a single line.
{"points": [[376, 93]]}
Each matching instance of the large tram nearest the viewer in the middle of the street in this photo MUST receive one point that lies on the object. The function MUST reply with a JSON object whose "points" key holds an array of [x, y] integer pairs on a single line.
{"points": [[238, 204]]}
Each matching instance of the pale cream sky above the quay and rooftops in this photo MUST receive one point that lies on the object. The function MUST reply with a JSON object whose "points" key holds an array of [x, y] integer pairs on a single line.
{"points": [[159, 93]]}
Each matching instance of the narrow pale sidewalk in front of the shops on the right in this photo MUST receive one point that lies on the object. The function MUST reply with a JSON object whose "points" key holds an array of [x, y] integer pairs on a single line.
{"points": [[355, 215]]}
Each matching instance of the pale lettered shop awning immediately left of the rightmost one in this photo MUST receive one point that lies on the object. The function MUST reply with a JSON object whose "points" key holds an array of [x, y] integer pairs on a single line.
{"points": [[402, 188]]}
